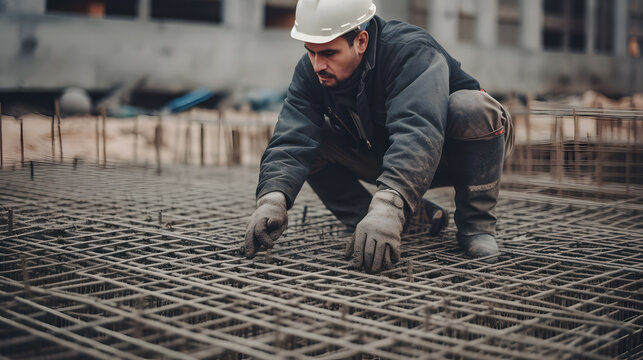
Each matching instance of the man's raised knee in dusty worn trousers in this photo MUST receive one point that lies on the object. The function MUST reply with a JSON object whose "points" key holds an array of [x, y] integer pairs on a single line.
{"points": [[474, 115]]}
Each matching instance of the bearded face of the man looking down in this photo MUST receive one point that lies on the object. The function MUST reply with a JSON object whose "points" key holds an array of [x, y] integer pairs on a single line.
{"points": [[335, 61]]}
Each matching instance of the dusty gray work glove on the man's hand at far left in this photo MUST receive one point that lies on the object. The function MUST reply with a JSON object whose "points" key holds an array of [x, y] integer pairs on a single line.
{"points": [[266, 224]]}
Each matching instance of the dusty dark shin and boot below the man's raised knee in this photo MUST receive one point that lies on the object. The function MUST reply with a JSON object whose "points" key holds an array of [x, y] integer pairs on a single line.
{"points": [[475, 168]]}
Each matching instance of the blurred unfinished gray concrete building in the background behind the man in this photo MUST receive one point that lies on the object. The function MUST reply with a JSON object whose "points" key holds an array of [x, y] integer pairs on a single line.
{"points": [[522, 46]]}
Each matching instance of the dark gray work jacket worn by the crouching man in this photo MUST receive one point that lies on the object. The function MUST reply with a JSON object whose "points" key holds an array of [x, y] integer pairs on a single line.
{"points": [[402, 104]]}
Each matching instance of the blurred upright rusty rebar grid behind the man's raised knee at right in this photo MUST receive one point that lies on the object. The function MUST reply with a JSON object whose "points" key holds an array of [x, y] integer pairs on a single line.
{"points": [[578, 145]]}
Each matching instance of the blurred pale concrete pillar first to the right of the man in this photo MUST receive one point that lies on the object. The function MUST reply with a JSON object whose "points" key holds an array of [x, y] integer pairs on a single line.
{"points": [[443, 21]]}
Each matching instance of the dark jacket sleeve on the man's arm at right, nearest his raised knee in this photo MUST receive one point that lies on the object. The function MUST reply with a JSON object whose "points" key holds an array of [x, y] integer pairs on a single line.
{"points": [[417, 99]]}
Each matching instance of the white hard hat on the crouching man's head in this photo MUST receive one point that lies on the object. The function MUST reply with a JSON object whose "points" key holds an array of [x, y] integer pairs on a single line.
{"points": [[321, 21]]}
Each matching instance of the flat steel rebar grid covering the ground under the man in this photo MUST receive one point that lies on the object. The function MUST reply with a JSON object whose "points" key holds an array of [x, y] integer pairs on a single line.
{"points": [[119, 262]]}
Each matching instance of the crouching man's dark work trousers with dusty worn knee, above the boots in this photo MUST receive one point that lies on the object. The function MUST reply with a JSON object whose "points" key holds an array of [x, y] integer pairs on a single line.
{"points": [[472, 115]]}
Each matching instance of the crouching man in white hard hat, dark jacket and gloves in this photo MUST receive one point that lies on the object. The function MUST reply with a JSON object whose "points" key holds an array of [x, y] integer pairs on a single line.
{"points": [[381, 102]]}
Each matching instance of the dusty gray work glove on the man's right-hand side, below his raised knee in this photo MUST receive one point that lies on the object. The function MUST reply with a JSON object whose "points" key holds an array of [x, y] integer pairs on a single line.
{"points": [[377, 238]]}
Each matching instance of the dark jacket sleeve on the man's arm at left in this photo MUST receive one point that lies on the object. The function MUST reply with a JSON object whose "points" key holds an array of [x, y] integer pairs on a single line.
{"points": [[286, 161]]}
